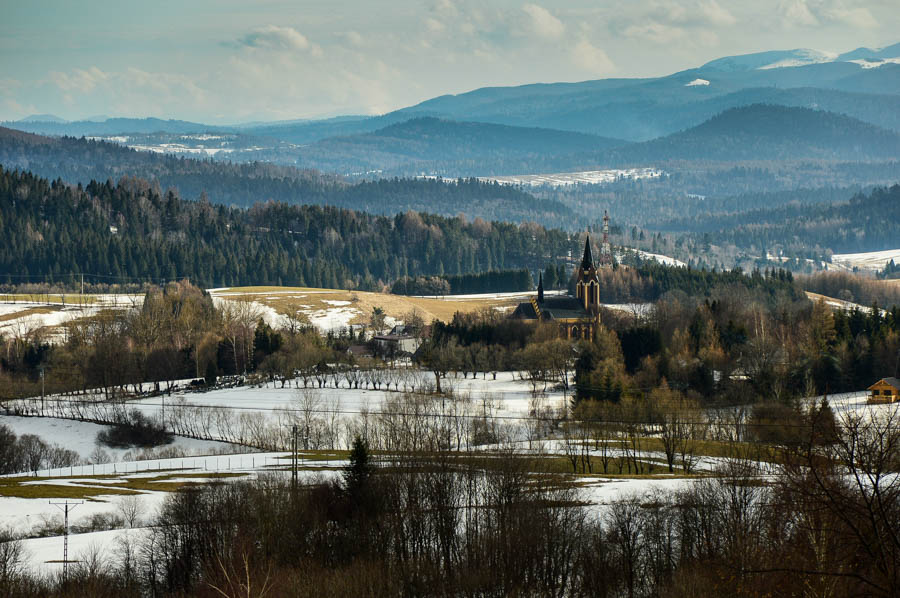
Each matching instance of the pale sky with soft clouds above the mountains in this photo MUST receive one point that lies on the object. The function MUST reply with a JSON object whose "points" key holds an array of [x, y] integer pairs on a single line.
{"points": [[227, 61]]}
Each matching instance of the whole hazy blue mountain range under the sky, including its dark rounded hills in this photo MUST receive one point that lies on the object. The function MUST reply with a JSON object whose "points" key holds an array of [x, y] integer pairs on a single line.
{"points": [[780, 105]]}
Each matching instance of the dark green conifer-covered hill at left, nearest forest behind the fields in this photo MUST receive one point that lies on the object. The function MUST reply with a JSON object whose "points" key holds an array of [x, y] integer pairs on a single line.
{"points": [[51, 230]]}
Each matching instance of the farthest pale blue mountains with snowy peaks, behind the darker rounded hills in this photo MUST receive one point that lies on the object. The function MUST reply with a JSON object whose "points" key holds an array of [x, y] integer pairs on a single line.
{"points": [[631, 109]]}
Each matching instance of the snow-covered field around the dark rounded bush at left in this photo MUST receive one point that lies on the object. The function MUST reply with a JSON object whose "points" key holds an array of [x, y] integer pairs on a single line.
{"points": [[81, 437]]}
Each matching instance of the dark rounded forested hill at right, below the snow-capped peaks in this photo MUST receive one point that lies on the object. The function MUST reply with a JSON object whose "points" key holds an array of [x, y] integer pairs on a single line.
{"points": [[768, 132]]}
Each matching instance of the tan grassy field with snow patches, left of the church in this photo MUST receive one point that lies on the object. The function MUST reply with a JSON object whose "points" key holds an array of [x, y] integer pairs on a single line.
{"points": [[284, 299]]}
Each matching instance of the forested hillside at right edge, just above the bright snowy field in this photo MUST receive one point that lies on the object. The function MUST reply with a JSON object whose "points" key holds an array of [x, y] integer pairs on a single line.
{"points": [[864, 223]]}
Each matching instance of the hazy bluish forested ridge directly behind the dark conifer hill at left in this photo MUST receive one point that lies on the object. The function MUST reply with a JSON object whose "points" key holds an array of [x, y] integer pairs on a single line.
{"points": [[81, 160]]}
